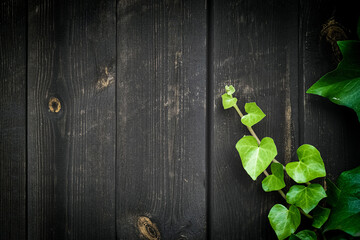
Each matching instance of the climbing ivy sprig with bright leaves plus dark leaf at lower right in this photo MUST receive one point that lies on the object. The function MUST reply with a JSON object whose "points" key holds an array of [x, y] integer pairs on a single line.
{"points": [[257, 155]]}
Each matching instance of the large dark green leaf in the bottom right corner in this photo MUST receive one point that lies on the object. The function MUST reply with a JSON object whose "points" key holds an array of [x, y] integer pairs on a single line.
{"points": [[345, 215]]}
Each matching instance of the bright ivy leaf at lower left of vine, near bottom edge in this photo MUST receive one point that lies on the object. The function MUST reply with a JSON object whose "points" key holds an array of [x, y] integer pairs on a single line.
{"points": [[284, 221]]}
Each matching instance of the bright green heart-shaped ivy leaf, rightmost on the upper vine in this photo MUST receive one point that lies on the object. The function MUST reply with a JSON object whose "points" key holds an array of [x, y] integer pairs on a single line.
{"points": [[309, 167]]}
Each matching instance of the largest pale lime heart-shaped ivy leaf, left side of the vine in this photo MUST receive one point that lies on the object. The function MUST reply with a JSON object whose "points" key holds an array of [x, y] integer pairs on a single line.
{"points": [[255, 159]]}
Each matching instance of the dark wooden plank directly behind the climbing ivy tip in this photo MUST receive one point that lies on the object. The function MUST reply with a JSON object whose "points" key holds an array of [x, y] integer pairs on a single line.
{"points": [[255, 48]]}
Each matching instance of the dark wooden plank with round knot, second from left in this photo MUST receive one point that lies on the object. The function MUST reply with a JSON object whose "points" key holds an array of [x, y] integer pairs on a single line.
{"points": [[71, 154]]}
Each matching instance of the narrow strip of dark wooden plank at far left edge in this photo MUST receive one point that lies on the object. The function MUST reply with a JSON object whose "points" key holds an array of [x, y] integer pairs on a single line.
{"points": [[13, 119]]}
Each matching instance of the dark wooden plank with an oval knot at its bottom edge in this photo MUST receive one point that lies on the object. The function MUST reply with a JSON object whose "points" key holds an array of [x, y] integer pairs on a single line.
{"points": [[161, 119]]}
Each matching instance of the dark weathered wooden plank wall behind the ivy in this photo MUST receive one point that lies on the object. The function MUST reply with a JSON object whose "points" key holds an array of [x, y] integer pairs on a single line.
{"points": [[111, 122]]}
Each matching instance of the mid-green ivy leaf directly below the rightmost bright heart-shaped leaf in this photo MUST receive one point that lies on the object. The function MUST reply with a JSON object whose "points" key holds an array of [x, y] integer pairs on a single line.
{"points": [[305, 198]]}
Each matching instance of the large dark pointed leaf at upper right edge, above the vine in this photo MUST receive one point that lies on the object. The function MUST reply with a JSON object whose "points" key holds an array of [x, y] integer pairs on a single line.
{"points": [[342, 86]]}
